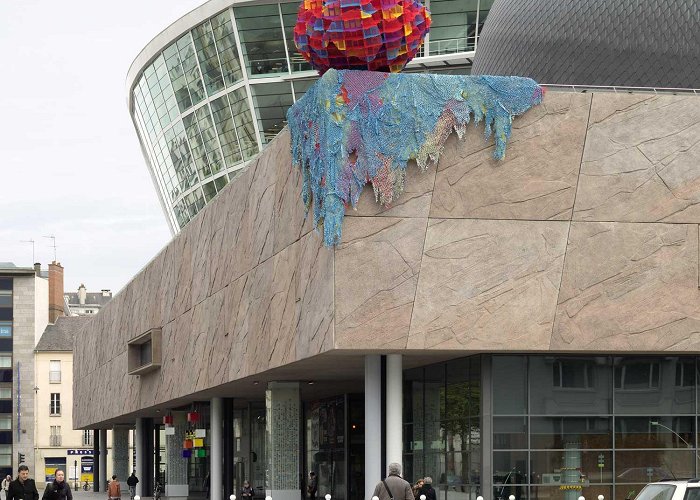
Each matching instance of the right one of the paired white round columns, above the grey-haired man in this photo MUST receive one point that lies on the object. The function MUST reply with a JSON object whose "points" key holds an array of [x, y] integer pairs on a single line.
{"points": [[394, 408]]}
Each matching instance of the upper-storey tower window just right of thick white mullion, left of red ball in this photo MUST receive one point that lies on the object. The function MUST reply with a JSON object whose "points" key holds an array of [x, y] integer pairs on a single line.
{"points": [[260, 32]]}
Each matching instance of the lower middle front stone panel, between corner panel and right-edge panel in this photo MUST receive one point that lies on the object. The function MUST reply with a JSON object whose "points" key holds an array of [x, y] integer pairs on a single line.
{"points": [[487, 284]]}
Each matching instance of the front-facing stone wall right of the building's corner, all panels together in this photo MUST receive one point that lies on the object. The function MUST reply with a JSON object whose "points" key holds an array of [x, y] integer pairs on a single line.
{"points": [[584, 238]]}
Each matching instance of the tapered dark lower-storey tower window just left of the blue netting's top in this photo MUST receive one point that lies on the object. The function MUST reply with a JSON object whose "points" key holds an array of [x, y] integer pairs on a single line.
{"points": [[271, 100]]}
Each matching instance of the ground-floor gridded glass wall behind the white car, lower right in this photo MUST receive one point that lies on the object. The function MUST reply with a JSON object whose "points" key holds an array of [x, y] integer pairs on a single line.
{"points": [[569, 426]]}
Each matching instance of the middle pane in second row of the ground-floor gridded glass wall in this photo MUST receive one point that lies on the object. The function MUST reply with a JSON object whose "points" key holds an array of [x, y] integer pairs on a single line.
{"points": [[556, 432]]}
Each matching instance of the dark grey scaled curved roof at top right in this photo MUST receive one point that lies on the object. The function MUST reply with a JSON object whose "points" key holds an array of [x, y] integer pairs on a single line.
{"points": [[637, 43]]}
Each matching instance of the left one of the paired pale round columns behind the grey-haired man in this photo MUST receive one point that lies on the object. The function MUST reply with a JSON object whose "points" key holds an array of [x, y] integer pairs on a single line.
{"points": [[373, 422]]}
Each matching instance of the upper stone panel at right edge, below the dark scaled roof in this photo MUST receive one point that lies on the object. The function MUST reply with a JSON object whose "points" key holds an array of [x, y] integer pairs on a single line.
{"points": [[642, 160]]}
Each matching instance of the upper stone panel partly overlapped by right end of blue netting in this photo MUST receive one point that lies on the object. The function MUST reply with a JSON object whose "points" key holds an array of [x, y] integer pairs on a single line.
{"points": [[536, 180]]}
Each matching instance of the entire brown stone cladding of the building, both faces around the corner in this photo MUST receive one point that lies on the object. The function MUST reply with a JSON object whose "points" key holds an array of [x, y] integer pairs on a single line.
{"points": [[585, 238]]}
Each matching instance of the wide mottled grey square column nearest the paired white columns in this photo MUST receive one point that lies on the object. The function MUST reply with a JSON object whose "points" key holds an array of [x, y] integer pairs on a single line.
{"points": [[283, 427]]}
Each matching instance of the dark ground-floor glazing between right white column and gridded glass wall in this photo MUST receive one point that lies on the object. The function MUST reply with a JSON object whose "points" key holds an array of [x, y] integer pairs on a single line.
{"points": [[442, 429]]}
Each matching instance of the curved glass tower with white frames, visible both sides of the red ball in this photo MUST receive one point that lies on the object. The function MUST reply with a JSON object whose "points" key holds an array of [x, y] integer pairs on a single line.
{"points": [[213, 88]]}
